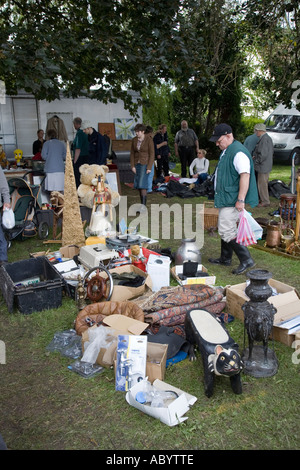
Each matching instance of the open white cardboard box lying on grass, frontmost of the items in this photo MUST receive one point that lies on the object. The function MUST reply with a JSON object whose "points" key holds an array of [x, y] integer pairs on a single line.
{"points": [[173, 413]]}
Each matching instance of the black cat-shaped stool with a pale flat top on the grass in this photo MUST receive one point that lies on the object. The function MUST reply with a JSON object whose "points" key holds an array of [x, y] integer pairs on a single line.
{"points": [[218, 350]]}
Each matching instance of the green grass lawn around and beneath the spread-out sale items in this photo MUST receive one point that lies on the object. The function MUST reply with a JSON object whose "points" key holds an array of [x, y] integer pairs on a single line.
{"points": [[46, 406]]}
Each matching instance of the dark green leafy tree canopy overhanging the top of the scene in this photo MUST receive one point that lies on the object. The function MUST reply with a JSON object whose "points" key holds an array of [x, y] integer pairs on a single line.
{"points": [[104, 49]]}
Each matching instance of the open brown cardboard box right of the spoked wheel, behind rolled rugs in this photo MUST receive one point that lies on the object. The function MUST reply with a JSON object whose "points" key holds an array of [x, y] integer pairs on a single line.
{"points": [[121, 293]]}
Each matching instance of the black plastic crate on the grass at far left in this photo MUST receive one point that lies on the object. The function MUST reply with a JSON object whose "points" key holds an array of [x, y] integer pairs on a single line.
{"points": [[43, 295]]}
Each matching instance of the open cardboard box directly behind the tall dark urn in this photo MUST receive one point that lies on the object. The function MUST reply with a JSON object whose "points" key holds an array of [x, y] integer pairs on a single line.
{"points": [[287, 303]]}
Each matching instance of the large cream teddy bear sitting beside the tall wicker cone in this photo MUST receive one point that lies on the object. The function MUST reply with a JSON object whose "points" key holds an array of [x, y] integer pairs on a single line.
{"points": [[89, 180]]}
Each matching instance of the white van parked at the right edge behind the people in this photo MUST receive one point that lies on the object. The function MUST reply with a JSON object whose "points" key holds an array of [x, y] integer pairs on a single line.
{"points": [[283, 126]]}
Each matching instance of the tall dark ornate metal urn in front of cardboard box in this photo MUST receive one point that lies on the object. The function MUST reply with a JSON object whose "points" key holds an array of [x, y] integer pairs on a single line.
{"points": [[259, 359]]}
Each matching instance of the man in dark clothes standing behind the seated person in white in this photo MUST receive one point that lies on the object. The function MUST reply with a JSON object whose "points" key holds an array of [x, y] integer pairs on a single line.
{"points": [[186, 146]]}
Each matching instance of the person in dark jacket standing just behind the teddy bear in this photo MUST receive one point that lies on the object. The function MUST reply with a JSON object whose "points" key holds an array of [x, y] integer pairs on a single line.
{"points": [[98, 149]]}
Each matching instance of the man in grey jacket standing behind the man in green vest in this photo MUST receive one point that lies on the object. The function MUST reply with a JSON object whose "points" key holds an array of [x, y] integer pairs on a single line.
{"points": [[263, 163]]}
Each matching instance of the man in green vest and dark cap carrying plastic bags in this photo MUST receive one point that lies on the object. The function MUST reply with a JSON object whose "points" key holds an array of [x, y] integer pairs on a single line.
{"points": [[235, 185]]}
